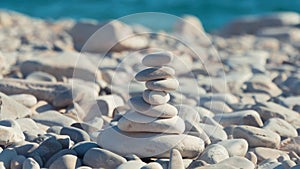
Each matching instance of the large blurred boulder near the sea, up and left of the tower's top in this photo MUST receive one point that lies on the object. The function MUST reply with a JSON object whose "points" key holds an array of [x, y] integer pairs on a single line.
{"points": [[94, 37]]}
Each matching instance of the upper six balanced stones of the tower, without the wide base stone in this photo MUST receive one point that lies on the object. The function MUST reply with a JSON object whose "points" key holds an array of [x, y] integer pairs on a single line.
{"points": [[151, 112]]}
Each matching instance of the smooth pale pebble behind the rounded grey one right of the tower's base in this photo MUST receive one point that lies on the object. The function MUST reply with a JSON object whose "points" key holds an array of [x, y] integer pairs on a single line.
{"points": [[235, 147]]}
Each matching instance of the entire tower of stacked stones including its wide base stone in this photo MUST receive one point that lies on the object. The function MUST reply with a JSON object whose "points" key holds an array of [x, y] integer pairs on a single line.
{"points": [[152, 127]]}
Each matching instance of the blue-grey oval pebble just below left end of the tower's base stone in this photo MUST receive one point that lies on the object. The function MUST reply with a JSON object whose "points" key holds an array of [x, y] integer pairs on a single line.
{"points": [[102, 158]]}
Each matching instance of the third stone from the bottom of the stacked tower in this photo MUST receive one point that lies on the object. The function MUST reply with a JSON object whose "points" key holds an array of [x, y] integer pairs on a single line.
{"points": [[163, 111]]}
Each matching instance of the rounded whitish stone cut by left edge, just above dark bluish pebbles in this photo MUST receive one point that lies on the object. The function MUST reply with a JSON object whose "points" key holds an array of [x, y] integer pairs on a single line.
{"points": [[10, 132]]}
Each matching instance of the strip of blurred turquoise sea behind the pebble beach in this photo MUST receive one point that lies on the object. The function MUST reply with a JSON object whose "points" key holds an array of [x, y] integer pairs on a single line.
{"points": [[213, 13]]}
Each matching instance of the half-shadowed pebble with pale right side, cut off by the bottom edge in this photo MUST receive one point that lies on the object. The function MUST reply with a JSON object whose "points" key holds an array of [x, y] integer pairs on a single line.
{"points": [[66, 162]]}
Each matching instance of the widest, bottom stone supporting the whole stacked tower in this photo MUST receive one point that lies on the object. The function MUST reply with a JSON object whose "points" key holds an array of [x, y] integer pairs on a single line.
{"points": [[142, 144]]}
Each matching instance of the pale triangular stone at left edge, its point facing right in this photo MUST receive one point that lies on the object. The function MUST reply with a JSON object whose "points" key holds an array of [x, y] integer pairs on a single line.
{"points": [[11, 109]]}
